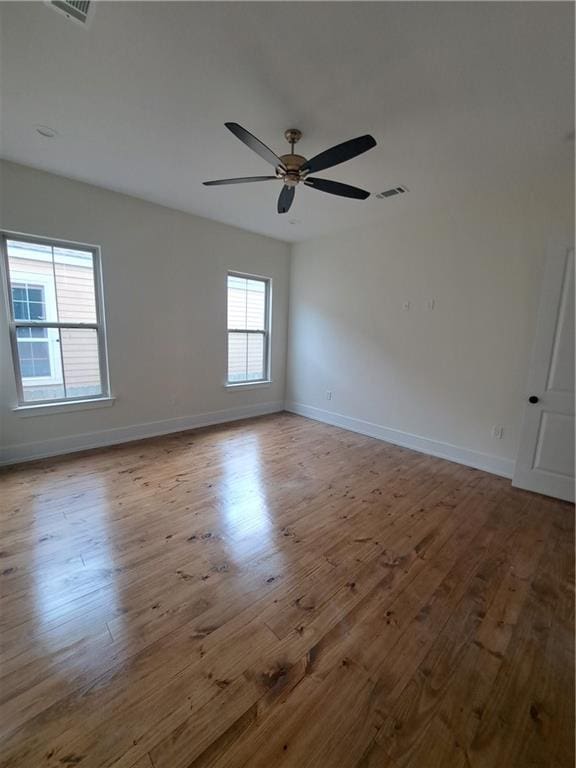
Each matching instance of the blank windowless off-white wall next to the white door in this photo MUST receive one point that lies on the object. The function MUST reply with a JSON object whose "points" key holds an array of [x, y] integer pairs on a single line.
{"points": [[448, 374]]}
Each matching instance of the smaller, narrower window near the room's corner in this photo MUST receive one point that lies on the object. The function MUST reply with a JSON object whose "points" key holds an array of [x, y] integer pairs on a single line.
{"points": [[248, 328]]}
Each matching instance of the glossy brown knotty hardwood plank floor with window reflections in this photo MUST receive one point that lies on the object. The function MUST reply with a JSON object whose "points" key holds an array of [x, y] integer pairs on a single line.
{"points": [[278, 592]]}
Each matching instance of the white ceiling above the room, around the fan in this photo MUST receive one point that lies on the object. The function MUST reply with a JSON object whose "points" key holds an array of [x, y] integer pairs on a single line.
{"points": [[454, 93]]}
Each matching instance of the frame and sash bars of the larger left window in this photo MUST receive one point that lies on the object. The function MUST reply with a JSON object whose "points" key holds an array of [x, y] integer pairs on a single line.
{"points": [[99, 326]]}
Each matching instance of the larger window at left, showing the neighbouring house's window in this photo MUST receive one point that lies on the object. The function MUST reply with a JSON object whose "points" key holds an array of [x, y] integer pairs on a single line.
{"points": [[56, 320]]}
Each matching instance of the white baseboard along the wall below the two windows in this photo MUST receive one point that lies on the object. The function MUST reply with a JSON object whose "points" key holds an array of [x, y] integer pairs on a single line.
{"points": [[16, 454]]}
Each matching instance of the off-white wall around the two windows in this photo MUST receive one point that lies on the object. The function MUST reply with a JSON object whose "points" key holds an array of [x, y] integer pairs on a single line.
{"points": [[164, 285]]}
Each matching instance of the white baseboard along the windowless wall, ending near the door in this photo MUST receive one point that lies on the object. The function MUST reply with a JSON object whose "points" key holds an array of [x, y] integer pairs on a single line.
{"points": [[496, 465]]}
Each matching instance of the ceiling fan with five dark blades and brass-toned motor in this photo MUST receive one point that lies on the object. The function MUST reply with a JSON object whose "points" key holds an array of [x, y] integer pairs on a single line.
{"points": [[292, 169]]}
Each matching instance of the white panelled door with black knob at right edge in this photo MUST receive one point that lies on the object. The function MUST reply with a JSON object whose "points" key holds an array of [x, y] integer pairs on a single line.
{"points": [[545, 460]]}
